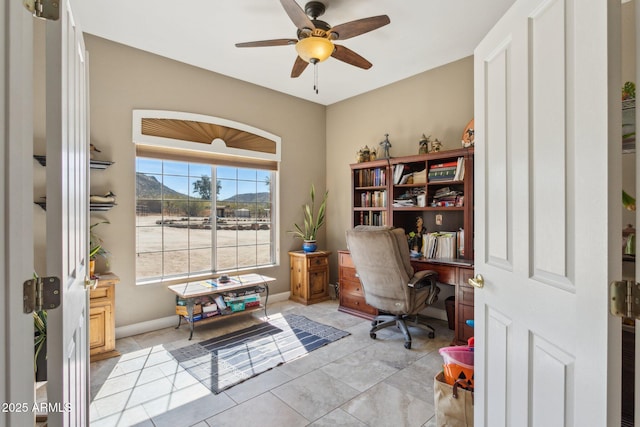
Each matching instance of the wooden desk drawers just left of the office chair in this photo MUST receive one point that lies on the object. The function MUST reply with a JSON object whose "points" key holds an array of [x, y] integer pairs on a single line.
{"points": [[350, 289]]}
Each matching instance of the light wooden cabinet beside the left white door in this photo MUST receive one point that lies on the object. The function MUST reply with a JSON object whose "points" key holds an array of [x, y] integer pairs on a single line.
{"points": [[102, 334]]}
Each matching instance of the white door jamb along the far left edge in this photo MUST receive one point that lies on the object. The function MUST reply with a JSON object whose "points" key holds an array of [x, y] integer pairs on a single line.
{"points": [[16, 207]]}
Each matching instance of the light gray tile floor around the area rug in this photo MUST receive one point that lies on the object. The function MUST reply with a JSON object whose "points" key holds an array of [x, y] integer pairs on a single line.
{"points": [[355, 381]]}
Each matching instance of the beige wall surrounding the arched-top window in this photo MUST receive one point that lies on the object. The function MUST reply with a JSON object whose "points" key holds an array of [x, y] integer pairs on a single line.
{"points": [[123, 79]]}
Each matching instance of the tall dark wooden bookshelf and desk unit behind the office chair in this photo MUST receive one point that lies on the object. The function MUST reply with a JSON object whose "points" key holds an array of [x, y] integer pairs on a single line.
{"points": [[436, 216]]}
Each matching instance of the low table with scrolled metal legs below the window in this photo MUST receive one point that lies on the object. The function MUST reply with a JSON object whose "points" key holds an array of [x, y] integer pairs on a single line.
{"points": [[192, 291]]}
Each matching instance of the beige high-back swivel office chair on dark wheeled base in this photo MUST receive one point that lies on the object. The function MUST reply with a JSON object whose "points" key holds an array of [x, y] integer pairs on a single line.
{"points": [[382, 261]]}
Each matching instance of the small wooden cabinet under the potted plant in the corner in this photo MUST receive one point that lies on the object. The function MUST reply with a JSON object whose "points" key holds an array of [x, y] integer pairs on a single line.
{"points": [[309, 276]]}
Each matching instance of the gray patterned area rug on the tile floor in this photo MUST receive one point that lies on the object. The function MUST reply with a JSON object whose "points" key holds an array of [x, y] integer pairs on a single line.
{"points": [[222, 362]]}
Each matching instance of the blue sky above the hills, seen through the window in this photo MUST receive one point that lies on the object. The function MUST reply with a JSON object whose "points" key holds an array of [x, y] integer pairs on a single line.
{"points": [[180, 176]]}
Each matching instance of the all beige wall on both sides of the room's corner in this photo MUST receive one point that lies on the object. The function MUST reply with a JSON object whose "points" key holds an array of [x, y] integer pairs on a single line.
{"points": [[438, 103]]}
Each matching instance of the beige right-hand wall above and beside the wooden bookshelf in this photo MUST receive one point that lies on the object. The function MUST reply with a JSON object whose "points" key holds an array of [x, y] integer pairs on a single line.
{"points": [[438, 102]]}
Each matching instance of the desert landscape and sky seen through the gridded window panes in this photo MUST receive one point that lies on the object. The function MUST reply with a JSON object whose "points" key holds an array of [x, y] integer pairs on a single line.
{"points": [[194, 220]]}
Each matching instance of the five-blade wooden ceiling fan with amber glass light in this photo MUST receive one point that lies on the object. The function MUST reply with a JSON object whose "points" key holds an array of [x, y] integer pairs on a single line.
{"points": [[315, 38]]}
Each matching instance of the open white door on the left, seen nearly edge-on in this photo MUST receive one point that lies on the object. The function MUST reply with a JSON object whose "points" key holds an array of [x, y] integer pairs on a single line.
{"points": [[67, 213]]}
